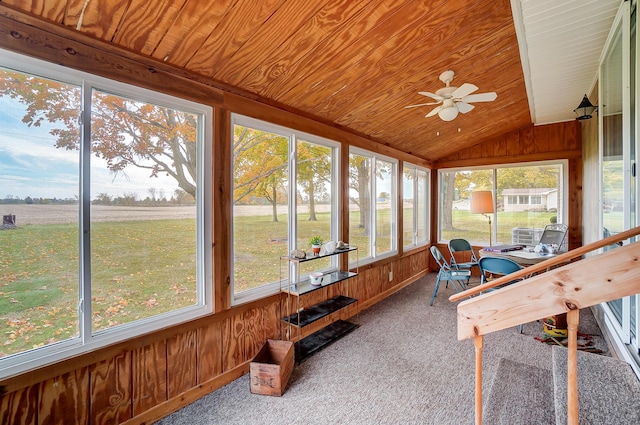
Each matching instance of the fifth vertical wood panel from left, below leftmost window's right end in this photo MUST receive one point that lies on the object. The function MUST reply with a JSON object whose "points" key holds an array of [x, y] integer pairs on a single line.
{"points": [[182, 356]]}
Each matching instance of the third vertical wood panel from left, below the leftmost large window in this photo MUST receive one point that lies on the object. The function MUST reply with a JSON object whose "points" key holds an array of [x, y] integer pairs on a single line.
{"points": [[110, 386]]}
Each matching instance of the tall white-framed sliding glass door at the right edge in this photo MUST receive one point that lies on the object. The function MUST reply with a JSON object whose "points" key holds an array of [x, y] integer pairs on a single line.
{"points": [[618, 147]]}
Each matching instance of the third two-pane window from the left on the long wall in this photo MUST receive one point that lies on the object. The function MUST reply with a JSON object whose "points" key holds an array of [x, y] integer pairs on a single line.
{"points": [[372, 204]]}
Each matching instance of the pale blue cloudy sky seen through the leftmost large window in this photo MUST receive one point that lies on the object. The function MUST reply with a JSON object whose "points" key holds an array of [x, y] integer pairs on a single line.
{"points": [[30, 165]]}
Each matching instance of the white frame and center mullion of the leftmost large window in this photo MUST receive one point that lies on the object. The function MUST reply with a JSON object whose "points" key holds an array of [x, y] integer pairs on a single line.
{"points": [[88, 341]]}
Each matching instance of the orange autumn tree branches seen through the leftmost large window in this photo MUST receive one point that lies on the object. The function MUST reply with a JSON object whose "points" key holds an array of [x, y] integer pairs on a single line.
{"points": [[125, 132]]}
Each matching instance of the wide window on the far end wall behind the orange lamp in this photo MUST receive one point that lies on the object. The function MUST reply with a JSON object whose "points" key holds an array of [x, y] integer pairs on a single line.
{"points": [[526, 198]]}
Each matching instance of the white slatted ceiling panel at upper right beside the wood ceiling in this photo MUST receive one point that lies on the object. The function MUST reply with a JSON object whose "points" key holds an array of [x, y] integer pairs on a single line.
{"points": [[561, 42]]}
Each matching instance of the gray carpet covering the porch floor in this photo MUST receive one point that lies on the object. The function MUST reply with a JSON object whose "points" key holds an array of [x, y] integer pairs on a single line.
{"points": [[403, 365]]}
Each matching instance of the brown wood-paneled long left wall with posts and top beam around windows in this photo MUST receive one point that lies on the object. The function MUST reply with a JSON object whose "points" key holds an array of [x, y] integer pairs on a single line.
{"points": [[145, 378]]}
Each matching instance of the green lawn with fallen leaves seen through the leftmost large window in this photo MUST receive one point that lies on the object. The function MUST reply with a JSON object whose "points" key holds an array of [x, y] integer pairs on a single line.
{"points": [[139, 269]]}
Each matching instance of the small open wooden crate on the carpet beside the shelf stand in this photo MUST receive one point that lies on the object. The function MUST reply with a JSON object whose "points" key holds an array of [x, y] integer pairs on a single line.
{"points": [[271, 368]]}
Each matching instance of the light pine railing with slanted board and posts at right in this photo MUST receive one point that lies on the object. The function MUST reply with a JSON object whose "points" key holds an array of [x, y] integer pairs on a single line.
{"points": [[555, 286]]}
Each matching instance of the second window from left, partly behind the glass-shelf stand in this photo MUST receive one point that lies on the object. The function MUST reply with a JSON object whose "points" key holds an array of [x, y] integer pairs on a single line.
{"points": [[284, 186]]}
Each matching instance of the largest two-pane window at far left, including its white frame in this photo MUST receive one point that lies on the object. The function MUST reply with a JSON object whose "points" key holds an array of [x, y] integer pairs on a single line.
{"points": [[103, 233]]}
